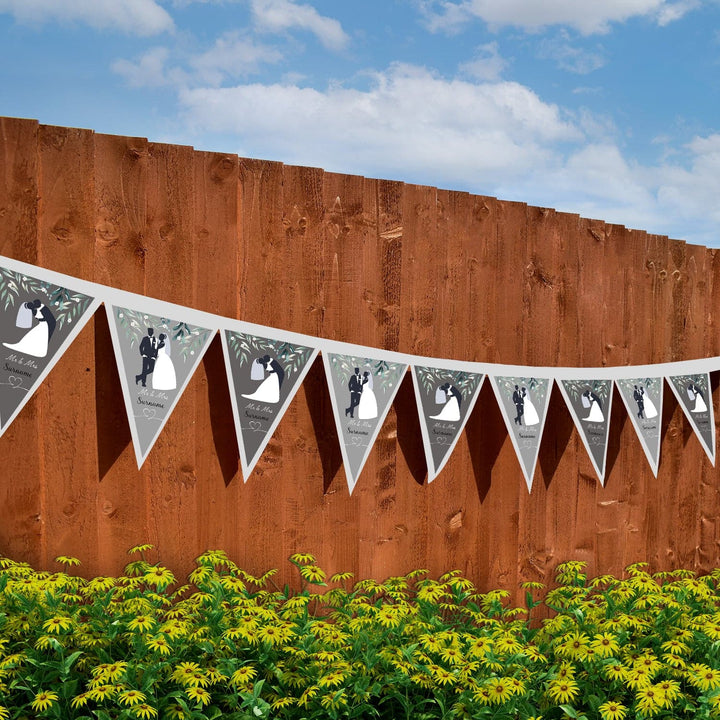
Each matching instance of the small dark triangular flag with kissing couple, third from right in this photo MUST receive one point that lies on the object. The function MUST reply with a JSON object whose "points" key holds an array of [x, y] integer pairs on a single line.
{"points": [[590, 402]]}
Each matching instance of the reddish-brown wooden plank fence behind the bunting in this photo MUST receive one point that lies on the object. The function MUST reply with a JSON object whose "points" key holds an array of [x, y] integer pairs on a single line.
{"points": [[374, 262]]}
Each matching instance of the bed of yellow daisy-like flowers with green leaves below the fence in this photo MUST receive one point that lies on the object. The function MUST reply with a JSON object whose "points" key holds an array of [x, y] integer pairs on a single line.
{"points": [[234, 646]]}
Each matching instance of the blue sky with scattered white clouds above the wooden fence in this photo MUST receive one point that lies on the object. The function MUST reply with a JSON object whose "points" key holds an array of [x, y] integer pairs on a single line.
{"points": [[607, 109]]}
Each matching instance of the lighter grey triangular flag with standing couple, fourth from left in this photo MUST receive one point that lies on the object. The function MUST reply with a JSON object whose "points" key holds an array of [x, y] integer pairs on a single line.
{"points": [[362, 390]]}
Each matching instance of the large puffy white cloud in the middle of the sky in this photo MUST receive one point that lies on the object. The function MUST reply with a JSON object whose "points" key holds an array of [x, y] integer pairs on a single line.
{"points": [[410, 122]]}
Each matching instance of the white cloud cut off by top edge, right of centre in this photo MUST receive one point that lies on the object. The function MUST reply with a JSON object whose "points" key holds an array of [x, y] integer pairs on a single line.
{"points": [[531, 15]]}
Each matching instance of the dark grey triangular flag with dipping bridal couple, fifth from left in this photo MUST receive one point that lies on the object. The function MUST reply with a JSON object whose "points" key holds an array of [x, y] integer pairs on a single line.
{"points": [[445, 399]]}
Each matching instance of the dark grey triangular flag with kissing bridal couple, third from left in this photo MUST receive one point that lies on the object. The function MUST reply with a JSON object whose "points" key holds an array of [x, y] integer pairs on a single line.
{"points": [[264, 374]]}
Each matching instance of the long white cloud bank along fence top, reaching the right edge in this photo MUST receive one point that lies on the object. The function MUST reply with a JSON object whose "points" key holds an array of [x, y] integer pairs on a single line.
{"points": [[495, 138]]}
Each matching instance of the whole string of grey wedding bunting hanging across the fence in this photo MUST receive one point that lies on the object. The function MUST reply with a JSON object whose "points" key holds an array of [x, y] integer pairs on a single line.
{"points": [[158, 346]]}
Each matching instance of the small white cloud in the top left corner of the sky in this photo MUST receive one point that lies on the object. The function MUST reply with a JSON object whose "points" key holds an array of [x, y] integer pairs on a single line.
{"points": [[141, 17]]}
